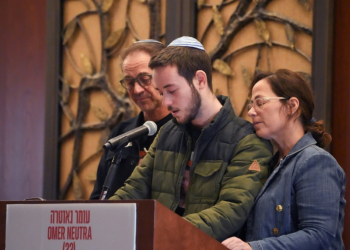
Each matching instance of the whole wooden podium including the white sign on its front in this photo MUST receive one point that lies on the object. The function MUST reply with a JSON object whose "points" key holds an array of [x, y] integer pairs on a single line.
{"points": [[85, 225]]}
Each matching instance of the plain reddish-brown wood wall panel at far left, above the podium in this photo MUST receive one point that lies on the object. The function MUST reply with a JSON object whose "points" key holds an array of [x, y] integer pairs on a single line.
{"points": [[22, 98]]}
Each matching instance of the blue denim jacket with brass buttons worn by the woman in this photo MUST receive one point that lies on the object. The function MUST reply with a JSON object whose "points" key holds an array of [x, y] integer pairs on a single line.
{"points": [[301, 205]]}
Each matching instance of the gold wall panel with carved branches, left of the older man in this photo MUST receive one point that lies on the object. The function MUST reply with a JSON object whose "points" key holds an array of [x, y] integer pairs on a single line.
{"points": [[84, 161]]}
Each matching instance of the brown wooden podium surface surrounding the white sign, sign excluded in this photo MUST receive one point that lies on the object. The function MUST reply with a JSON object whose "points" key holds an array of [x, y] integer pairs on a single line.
{"points": [[157, 227]]}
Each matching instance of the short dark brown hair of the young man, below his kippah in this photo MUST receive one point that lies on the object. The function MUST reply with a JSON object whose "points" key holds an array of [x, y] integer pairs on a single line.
{"points": [[187, 60]]}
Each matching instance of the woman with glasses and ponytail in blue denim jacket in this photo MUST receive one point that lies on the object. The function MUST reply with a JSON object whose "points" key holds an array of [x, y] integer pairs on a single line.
{"points": [[301, 205]]}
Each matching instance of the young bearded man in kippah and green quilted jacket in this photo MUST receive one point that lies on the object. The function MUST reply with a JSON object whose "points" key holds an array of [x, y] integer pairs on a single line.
{"points": [[207, 165]]}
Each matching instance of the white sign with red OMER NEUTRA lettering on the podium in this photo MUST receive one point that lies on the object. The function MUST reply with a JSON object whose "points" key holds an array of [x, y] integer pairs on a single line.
{"points": [[71, 226]]}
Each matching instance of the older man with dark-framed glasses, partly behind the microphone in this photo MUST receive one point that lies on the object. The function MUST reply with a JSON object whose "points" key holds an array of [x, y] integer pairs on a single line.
{"points": [[138, 82]]}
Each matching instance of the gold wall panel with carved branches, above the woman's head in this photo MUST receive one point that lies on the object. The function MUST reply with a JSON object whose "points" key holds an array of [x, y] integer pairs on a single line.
{"points": [[243, 55]]}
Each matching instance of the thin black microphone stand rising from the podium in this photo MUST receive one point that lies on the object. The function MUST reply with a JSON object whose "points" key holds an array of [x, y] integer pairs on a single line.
{"points": [[106, 188]]}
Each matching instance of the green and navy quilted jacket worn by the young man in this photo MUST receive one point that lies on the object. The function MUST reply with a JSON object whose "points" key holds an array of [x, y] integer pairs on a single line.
{"points": [[222, 187]]}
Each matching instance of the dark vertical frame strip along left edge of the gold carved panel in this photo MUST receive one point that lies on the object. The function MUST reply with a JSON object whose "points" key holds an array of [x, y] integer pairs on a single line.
{"points": [[52, 115]]}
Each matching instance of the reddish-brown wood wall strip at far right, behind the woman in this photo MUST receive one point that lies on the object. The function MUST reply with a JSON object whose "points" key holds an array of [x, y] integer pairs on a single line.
{"points": [[341, 98]]}
